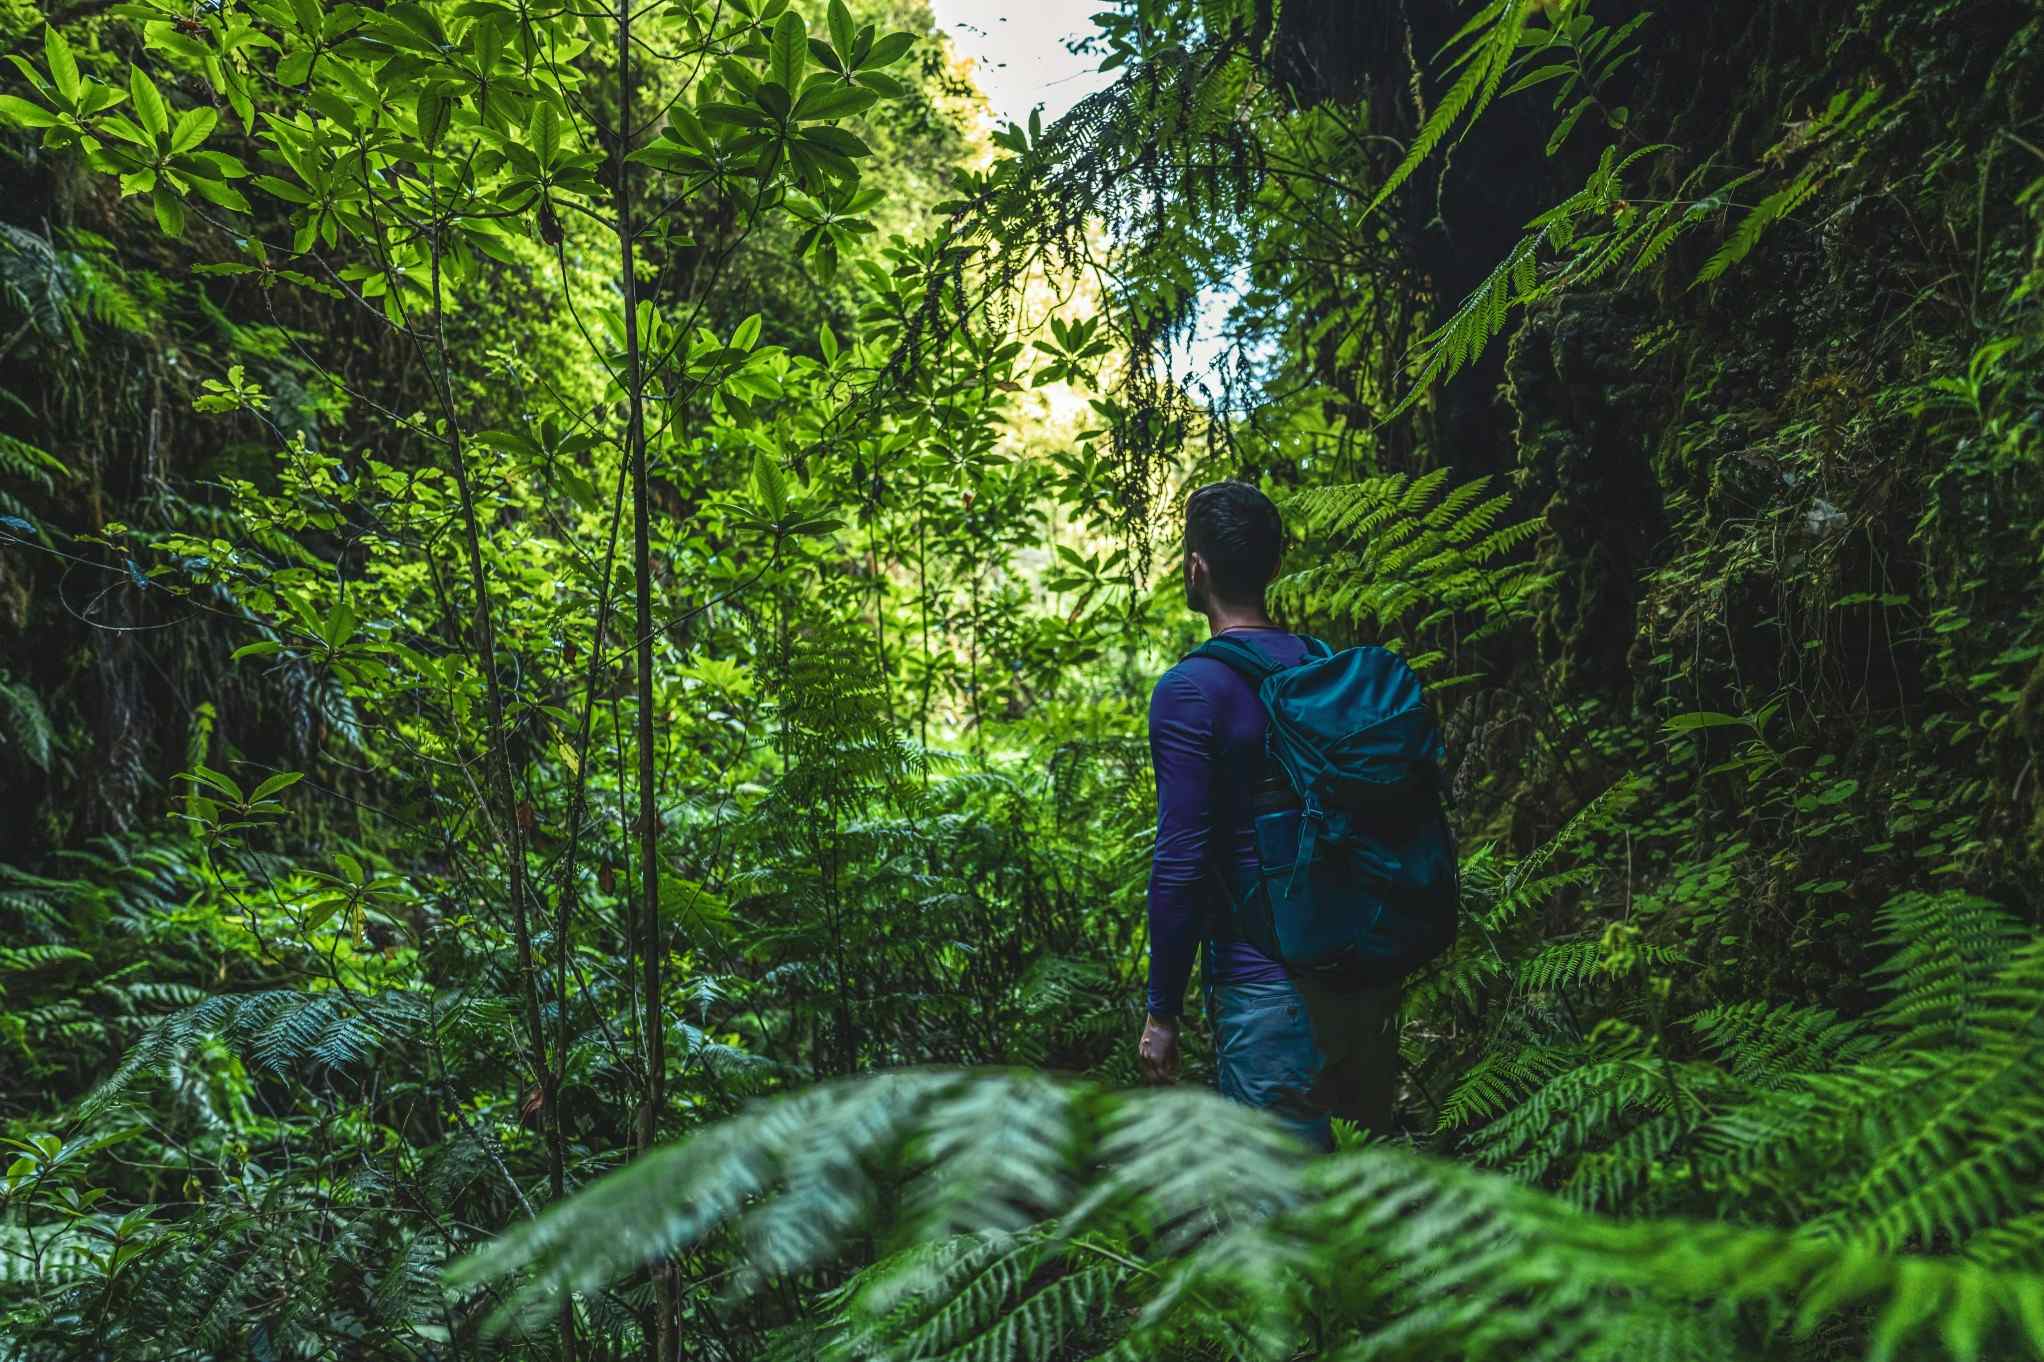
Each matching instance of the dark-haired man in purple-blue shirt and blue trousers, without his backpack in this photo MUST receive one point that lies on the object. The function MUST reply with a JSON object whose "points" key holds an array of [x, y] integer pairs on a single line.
{"points": [[1297, 1048]]}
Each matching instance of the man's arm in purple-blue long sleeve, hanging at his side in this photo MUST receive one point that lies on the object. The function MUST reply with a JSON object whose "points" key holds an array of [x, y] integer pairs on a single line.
{"points": [[1182, 745]]}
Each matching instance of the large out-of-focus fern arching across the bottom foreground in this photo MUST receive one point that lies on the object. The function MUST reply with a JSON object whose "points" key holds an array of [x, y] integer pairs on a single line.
{"points": [[1411, 1255]]}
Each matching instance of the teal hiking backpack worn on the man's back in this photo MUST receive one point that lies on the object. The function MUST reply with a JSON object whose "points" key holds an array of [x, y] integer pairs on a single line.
{"points": [[1356, 864]]}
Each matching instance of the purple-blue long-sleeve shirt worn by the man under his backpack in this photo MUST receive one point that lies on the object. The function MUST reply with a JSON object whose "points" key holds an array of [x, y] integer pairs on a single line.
{"points": [[1207, 745]]}
